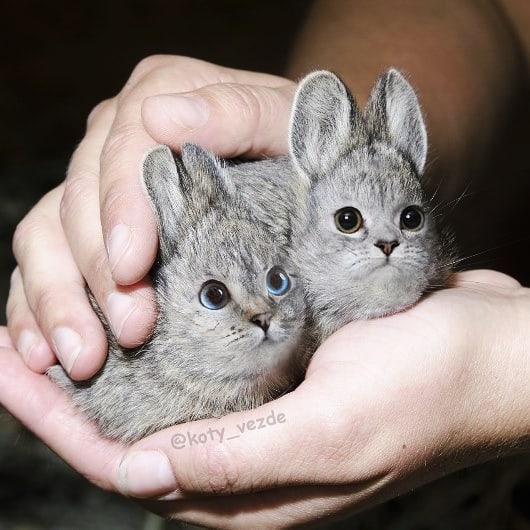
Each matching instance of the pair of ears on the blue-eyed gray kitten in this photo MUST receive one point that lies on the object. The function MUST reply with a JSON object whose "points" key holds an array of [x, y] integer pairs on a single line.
{"points": [[181, 190]]}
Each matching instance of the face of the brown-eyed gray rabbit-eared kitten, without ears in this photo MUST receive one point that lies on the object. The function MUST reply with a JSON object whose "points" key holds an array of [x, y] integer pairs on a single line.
{"points": [[370, 236]]}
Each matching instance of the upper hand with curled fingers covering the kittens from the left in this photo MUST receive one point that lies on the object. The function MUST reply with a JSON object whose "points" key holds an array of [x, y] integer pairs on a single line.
{"points": [[98, 225]]}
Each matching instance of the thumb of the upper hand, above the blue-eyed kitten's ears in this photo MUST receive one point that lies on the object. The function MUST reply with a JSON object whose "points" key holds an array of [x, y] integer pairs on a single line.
{"points": [[229, 119]]}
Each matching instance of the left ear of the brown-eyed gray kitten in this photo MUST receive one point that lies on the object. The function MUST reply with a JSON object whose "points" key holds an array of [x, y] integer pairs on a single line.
{"points": [[325, 122]]}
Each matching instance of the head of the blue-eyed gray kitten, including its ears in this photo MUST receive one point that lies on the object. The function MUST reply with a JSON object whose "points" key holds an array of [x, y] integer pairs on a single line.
{"points": [[229, 296]]}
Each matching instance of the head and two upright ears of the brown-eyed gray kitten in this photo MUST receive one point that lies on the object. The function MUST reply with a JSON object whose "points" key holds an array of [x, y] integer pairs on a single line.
{"points": [[371, 246]]}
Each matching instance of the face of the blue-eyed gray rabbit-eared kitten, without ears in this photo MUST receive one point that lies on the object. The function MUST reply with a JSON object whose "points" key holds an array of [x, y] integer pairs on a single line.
{"points": [[236, 311]]}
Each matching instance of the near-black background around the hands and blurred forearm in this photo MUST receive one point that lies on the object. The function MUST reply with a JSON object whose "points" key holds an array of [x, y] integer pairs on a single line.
{"points": [[58, 60]]}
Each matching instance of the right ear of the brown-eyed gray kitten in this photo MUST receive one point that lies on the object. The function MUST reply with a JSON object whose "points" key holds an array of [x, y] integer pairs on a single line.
{"points": [[393, 114]]}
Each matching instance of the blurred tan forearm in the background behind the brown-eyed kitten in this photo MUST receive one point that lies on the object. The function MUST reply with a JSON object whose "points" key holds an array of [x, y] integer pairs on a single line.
{"points": [[463, 58]]}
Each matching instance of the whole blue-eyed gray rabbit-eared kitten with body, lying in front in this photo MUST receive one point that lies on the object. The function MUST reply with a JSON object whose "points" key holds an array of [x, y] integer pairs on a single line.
{"points": [[229, 334]]}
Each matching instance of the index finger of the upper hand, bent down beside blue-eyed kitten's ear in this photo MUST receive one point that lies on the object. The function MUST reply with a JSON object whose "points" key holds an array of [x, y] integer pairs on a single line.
{"points": [[128, 222]]}
